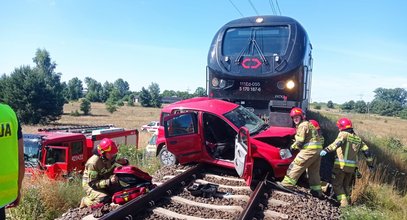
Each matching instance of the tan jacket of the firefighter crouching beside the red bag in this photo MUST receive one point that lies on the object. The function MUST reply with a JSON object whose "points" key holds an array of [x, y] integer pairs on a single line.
{"points": [[97, 173]]}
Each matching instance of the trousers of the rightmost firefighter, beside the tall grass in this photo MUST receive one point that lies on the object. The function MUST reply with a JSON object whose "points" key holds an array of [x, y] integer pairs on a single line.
{"points": [[342, 185]]}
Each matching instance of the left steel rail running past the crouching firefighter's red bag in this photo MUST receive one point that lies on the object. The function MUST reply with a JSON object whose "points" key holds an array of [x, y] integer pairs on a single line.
{"points": [[140, 204]]}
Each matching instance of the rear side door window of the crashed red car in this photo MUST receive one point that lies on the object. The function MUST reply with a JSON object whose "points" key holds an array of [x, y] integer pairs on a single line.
{"points": [[181, 125]]}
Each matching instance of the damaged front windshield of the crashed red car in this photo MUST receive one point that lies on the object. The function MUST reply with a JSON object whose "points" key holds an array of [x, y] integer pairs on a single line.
{"points": [[240, 116]]}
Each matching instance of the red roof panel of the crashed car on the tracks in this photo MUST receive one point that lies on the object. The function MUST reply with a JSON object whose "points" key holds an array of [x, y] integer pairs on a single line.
{"points": [[216, 106]]}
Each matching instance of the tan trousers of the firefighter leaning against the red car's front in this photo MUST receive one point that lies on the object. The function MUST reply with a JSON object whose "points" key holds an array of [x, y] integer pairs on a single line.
{"points": [[305, 159]]}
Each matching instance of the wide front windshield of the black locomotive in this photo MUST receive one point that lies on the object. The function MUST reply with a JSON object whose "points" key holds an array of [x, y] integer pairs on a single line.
{"points": [[271, 40]]}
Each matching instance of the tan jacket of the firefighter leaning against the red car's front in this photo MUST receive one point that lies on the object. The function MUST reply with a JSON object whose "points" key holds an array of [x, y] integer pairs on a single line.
{"points": [[306, 137]]}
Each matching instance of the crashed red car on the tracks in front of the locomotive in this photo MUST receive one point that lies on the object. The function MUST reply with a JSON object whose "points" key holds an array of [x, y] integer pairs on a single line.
{"points": [[224, 134]]}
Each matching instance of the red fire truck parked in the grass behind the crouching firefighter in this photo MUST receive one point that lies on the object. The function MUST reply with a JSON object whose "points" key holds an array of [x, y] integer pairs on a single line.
{"points": [[60, 151]]}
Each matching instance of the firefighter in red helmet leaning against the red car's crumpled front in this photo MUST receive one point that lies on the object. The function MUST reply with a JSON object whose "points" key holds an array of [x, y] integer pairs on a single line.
{"points": [[308, 142]]}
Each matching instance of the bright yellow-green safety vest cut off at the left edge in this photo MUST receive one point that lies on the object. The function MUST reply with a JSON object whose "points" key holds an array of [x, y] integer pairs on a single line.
{"points": [[9, 154]]}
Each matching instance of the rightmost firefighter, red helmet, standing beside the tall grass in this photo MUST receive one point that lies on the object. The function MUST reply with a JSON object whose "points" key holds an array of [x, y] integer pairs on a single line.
{"points": [[347, 146]]}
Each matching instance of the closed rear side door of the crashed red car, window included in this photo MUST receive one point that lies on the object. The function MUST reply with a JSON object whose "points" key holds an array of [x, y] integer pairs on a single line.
{"points": [[182, 138]]}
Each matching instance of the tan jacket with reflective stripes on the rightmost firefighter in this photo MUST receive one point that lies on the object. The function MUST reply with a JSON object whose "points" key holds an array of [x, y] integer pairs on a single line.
{"points": [[347, 146]]}
